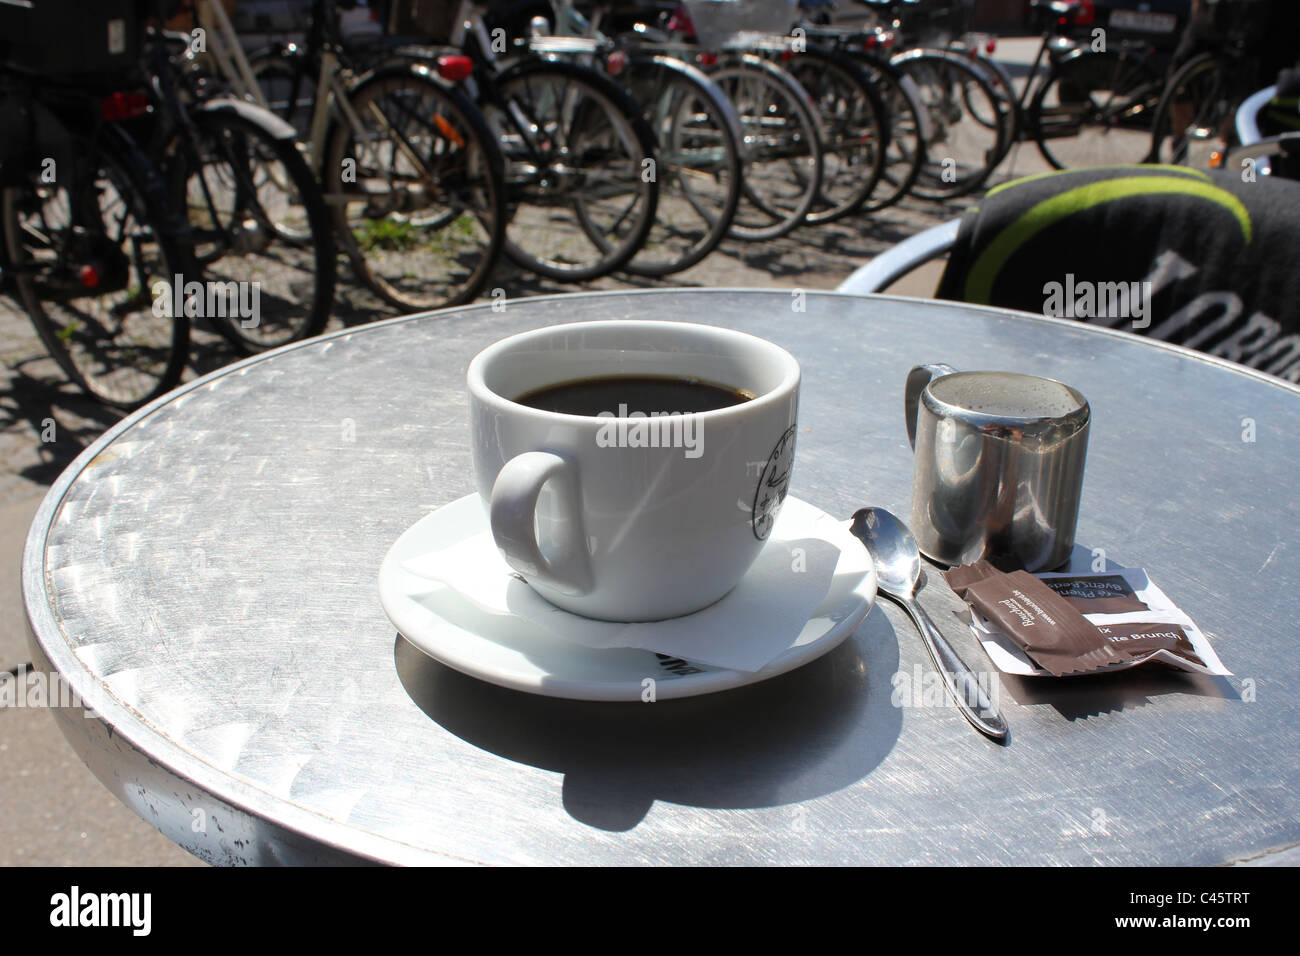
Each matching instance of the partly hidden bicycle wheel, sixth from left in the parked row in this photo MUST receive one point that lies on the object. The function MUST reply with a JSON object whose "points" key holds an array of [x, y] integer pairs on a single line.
{"points": [[782, 148]]}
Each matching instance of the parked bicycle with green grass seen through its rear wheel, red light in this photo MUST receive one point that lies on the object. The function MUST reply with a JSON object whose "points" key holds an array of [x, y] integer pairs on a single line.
{"points": [[411, 170]]}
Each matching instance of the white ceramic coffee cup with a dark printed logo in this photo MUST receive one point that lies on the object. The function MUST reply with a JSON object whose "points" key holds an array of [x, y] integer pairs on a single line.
{"points": [[627, 518]]}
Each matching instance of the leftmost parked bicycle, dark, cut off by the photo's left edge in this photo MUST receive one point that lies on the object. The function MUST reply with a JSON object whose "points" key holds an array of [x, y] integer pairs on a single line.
{"points": [[89, 237]]}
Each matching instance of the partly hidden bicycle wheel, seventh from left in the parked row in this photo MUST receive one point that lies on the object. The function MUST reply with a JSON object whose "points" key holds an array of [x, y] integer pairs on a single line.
{"points": [[852, 131]]}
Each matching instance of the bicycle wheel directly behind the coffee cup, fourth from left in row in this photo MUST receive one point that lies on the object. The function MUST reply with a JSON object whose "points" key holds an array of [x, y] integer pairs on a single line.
{"points": [[579, 161]]}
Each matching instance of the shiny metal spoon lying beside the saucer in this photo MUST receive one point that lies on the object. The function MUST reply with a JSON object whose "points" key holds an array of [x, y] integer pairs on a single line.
{"points": [[898, 561]]}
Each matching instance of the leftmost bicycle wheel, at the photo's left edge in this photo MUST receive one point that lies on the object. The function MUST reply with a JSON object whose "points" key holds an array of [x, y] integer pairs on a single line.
{"points": [[98, 283]]}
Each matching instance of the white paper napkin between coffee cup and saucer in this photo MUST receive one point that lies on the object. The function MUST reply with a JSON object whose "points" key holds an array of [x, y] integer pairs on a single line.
{"points": [[759, 621]]}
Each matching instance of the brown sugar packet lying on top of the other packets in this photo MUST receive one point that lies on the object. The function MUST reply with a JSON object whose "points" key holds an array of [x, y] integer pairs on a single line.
{"points": [[1055, 635]]}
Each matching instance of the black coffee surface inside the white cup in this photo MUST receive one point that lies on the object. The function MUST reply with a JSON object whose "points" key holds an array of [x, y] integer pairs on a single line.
{"points": [[627, 395]]}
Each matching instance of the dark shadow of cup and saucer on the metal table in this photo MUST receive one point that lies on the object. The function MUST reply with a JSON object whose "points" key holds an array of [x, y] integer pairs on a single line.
{"points": [[781, 742]]}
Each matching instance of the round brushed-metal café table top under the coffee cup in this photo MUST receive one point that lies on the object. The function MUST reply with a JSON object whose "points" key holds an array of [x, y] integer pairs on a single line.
{"points": [[205, 578]]}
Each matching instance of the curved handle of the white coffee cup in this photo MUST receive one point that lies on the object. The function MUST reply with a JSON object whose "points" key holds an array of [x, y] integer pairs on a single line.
{"points": [[514, 512]]}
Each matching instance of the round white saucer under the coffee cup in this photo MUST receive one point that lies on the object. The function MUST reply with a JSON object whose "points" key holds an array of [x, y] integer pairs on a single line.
{"points": [[512, 652]]}
